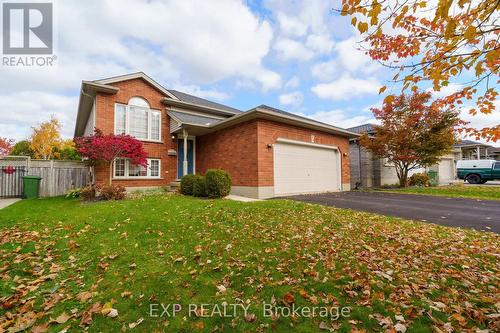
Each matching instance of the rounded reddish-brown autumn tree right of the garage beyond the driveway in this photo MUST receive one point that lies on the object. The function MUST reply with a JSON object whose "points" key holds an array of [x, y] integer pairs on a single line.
{"points": [[414, 132]]}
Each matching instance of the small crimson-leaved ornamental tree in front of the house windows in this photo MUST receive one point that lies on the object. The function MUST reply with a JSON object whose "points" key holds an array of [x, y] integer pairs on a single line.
{"points": [[106, 148]]}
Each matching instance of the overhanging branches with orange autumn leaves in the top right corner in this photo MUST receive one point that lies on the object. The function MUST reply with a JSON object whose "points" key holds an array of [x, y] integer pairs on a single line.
{"points": [[441, 42]]}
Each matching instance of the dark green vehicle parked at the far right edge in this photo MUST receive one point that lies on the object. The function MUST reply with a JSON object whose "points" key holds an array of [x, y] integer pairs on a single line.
{"points": [[478, 171]]}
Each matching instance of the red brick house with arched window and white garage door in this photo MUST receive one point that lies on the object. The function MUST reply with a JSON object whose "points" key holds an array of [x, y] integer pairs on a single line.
{"points": [[267, 152]]}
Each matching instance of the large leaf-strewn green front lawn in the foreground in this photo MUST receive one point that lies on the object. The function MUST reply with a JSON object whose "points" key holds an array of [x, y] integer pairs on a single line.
{"points": [[63, 264]]}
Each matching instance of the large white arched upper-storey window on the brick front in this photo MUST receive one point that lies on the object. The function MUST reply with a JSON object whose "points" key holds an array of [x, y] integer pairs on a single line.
{"points": [[138, 120]]}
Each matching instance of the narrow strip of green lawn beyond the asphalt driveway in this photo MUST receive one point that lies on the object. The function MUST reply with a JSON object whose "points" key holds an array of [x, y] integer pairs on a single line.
{"points": [[459, 191]]}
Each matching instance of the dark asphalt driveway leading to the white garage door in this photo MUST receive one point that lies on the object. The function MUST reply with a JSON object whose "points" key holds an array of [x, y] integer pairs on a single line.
{"points": [[457, 212]]}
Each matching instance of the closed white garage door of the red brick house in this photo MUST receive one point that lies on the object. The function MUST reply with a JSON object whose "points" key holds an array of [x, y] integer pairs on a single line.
{"points": [[305, 168]]}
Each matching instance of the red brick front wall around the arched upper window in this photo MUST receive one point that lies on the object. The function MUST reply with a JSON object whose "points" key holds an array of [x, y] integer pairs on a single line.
{"points": [[105, 108]]}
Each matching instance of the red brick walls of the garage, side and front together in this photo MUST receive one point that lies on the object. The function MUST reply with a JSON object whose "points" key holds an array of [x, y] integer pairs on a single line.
{"points": [[242, 150]]}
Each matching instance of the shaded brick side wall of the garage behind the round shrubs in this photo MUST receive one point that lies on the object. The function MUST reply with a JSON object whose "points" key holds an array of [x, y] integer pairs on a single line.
{"points": [[233, 149]]}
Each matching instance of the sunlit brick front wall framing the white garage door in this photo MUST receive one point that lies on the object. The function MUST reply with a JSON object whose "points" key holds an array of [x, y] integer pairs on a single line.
{"points": [[269, 131]]}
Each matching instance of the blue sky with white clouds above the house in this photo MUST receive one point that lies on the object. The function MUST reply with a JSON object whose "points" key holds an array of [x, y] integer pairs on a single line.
{"points": [[298, 56]]}
